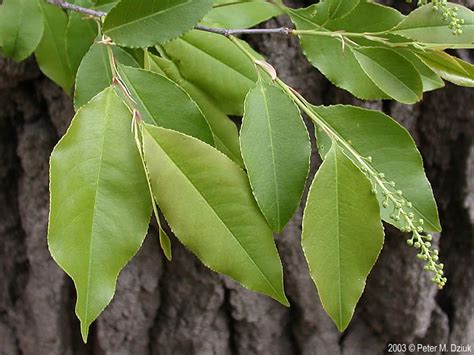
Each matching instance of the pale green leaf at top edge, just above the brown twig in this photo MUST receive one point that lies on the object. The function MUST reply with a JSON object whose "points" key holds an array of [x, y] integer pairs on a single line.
{"points": [[242, 14]]}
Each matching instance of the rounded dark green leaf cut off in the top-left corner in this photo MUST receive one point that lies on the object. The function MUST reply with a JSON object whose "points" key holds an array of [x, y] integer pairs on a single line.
{"points": [[21, 27]]}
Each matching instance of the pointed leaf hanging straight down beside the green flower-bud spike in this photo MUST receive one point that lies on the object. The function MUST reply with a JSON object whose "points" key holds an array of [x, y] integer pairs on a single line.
{"points": [[342, 234]]}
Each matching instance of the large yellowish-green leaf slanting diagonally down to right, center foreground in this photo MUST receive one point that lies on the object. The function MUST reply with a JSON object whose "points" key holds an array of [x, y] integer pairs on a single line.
{"points": [[207, 201]]}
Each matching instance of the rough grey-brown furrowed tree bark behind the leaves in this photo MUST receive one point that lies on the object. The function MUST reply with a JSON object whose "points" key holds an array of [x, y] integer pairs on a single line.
{"points": [[182, 307]]}
